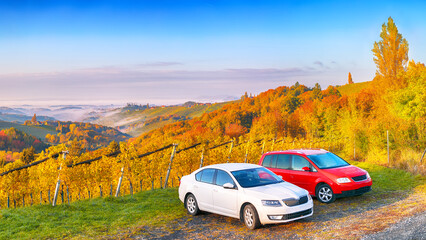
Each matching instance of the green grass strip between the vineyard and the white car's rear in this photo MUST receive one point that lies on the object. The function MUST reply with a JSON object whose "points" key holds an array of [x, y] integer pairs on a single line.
{"points": [[91, 218]]}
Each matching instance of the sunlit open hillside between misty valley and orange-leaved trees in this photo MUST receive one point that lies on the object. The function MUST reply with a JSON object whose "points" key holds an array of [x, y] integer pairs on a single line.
{"points": [[124, 119]]}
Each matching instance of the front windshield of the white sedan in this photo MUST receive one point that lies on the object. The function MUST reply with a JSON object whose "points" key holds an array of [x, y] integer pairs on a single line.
{"points": [[255, 177]]}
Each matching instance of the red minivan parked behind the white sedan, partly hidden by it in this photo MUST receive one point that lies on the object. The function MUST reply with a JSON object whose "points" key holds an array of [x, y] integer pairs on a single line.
{"points": [[324, 174]]}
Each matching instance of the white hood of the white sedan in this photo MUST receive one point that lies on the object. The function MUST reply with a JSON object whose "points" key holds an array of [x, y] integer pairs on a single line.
{"points": [[277, 191]]}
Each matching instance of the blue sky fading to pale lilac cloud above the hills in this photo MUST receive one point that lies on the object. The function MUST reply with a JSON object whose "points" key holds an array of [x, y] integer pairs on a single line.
{"points": [[166, 52]]}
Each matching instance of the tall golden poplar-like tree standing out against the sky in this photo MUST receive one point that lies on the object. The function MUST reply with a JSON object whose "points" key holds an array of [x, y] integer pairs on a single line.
{"points": [[390, 55]]}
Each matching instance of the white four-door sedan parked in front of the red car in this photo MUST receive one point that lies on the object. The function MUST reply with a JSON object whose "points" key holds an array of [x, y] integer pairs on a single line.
{"points": [[248, 192]]}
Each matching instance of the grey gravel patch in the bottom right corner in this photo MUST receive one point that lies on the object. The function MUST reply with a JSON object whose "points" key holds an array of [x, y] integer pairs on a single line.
{"points": [[409, 228]]}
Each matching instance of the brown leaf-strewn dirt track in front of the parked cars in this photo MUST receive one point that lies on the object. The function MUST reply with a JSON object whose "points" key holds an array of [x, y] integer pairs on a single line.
{"points": [[347, 218]]}
